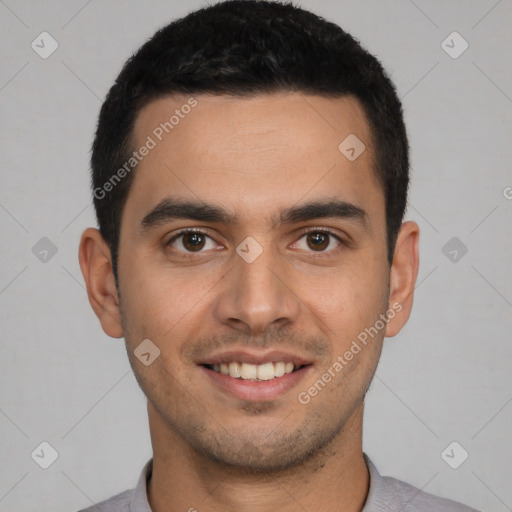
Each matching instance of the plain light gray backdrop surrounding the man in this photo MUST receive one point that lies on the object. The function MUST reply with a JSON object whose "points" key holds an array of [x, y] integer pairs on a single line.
{"points": [[445, 378]]}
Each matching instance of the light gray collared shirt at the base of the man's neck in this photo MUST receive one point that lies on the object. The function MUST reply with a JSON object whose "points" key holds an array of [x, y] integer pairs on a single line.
{"points": [[386, 494]]}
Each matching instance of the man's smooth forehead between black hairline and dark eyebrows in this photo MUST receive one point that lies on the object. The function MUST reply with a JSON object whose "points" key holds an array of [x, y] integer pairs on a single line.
{"points": [[254, 152]]}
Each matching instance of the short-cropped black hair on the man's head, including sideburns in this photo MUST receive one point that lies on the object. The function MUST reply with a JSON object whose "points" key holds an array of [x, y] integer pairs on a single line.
{"points": [[243, 48]]}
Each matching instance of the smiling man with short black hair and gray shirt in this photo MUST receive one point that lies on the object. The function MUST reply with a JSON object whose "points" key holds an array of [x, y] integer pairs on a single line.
{"points": [[250, 174]]}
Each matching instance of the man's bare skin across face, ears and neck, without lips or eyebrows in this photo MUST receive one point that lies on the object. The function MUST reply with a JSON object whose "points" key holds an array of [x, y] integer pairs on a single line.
{"points": [[254, 157]]}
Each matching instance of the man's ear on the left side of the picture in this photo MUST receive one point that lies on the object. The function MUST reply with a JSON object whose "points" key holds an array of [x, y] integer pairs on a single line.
{"points": [[96, 264]]}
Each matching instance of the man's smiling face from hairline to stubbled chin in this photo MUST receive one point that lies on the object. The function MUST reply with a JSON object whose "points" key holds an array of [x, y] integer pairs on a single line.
{"points": [[253, 256]]}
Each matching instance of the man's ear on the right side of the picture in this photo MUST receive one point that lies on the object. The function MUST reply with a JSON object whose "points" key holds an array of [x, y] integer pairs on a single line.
{"points": [[403, 274]]}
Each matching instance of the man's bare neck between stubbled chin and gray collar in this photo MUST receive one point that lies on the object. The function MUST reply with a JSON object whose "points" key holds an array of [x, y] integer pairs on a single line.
{"points": [[337, 478]]}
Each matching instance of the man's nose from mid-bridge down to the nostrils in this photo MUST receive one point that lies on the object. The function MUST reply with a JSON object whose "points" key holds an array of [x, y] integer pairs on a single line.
{"points": [[258, 296]]}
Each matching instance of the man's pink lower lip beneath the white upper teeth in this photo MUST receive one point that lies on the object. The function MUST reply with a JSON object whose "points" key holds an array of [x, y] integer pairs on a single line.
{"points": [[257, 391]]}
